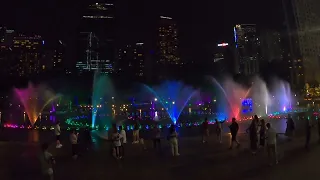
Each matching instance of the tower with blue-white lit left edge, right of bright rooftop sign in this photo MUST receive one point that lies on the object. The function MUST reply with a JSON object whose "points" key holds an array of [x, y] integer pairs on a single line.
{"points": [[247, 46]]}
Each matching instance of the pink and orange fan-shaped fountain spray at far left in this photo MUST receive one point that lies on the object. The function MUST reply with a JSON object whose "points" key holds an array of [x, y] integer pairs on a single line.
{"points": [[34, 99]]}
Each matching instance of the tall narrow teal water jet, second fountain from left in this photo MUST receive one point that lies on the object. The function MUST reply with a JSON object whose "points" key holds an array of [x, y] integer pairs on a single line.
{"points": [[102, 93]]}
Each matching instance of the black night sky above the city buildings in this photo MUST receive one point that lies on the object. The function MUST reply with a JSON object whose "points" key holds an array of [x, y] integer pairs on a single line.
{"points": [[201, 24]]}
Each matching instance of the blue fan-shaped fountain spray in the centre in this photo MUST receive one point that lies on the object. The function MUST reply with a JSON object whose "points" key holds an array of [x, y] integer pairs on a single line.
{"points": [[173, 97]]}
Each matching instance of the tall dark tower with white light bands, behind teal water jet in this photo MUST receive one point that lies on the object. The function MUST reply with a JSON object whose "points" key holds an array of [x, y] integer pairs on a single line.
{"points": [[96, 40]]}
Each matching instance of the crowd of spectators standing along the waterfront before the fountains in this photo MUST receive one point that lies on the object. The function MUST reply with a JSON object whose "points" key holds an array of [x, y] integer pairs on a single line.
{"points": [[261, 135]]}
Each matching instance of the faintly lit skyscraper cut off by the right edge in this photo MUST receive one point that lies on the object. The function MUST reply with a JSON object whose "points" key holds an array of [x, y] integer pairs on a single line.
{"points": [[307, 22]]}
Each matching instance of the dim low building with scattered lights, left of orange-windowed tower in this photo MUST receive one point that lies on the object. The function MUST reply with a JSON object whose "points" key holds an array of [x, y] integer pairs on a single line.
{"points": [[131, 60]]}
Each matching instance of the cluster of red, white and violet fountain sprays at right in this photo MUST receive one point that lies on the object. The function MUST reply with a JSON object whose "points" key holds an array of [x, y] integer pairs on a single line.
{"points": [[261, 100]]}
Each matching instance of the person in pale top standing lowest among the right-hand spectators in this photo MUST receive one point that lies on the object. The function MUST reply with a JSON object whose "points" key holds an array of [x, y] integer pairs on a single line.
{"points": [[271, 137]]}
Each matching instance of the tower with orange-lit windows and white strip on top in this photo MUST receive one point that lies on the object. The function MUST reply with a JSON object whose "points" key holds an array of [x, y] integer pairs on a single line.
{"points": [[168, 42]]}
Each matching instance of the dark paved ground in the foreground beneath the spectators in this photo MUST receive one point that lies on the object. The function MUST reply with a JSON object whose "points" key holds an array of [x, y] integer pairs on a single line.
{"points": [[18, 160]]}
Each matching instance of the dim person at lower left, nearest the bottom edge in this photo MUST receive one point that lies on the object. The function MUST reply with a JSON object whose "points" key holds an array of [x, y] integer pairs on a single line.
{"points": [[46, 160]]}
